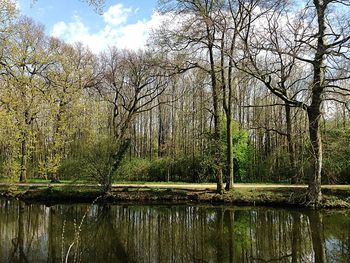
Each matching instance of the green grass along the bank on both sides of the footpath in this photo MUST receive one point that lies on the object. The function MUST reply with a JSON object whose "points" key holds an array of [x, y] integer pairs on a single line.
{"points": [[69, 190]]}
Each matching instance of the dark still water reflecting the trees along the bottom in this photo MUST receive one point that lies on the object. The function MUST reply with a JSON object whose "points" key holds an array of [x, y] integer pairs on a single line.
{"points": [[35, 233]]}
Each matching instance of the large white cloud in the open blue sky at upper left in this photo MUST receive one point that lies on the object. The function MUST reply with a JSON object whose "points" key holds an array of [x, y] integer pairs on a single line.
{"points": [[115, 32]]}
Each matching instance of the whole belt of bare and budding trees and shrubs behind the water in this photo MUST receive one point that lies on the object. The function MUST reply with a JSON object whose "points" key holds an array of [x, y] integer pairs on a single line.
{"points": [[226, 91]]}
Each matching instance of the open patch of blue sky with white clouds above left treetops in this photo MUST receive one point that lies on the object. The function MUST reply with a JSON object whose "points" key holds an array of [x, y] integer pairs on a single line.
{"points": [[124, 23]]}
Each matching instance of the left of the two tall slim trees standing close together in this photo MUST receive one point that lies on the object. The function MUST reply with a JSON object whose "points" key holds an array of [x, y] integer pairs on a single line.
{"points": [[197, 34]]}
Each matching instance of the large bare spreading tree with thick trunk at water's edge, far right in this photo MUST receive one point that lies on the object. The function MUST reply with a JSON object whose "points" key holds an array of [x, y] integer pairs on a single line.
{"points": [[320, 44]]}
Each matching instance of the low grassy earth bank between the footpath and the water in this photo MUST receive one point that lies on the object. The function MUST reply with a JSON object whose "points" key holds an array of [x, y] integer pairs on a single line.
{"points": [[250, 195]]}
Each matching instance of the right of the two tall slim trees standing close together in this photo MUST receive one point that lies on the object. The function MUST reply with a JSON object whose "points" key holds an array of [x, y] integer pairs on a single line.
{"points": [[234, 18]]}
